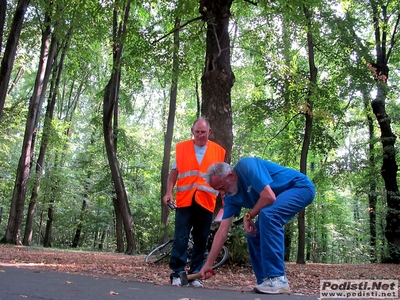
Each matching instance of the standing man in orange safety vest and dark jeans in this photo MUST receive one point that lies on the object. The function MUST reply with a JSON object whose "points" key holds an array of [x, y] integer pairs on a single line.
{"points": [[195, 199]]}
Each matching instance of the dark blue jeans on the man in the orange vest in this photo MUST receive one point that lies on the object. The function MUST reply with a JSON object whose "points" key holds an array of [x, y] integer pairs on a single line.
{"points": [[197, 219]]}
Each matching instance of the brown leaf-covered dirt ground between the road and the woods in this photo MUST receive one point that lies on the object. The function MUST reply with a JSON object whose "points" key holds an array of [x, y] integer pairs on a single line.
{"points": [[303, 279]]}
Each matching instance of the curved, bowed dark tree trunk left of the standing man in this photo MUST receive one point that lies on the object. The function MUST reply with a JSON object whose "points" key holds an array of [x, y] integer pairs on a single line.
{"points": [[110, 110]]}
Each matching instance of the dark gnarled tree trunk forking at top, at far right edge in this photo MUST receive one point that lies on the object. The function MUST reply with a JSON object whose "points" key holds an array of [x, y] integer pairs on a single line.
{"points": [[388, 138]]}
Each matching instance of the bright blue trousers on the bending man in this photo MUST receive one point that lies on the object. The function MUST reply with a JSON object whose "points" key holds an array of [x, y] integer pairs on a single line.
{"points": [[267, 247]]}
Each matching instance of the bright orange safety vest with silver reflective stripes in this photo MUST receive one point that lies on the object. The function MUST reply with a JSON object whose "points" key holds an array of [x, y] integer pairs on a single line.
{"points": [[191, 174]]}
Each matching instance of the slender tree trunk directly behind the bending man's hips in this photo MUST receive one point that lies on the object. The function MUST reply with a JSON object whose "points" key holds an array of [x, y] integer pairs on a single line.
{"points": [[307, 135]]}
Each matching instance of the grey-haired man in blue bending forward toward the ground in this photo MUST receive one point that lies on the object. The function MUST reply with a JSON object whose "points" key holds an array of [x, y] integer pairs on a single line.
{"points": [[272, 194]]}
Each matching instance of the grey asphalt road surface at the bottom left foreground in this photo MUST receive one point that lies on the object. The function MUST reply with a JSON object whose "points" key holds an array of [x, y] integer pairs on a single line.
{"points": [[18, 283]]}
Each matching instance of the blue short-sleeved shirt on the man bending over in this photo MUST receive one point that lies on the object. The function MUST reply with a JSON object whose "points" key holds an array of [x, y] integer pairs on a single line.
{"points": [[254, 174]]}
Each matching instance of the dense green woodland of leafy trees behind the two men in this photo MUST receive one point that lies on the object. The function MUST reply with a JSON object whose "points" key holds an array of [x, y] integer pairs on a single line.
{"points": [[94, 95]]}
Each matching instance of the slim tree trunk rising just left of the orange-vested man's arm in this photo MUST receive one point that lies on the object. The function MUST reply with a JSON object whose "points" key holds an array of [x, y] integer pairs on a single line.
{"points": [[165, 212]]}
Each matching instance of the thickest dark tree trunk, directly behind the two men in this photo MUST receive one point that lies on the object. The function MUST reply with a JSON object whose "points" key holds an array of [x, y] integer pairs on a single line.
{"points": [[218, 78]]}
